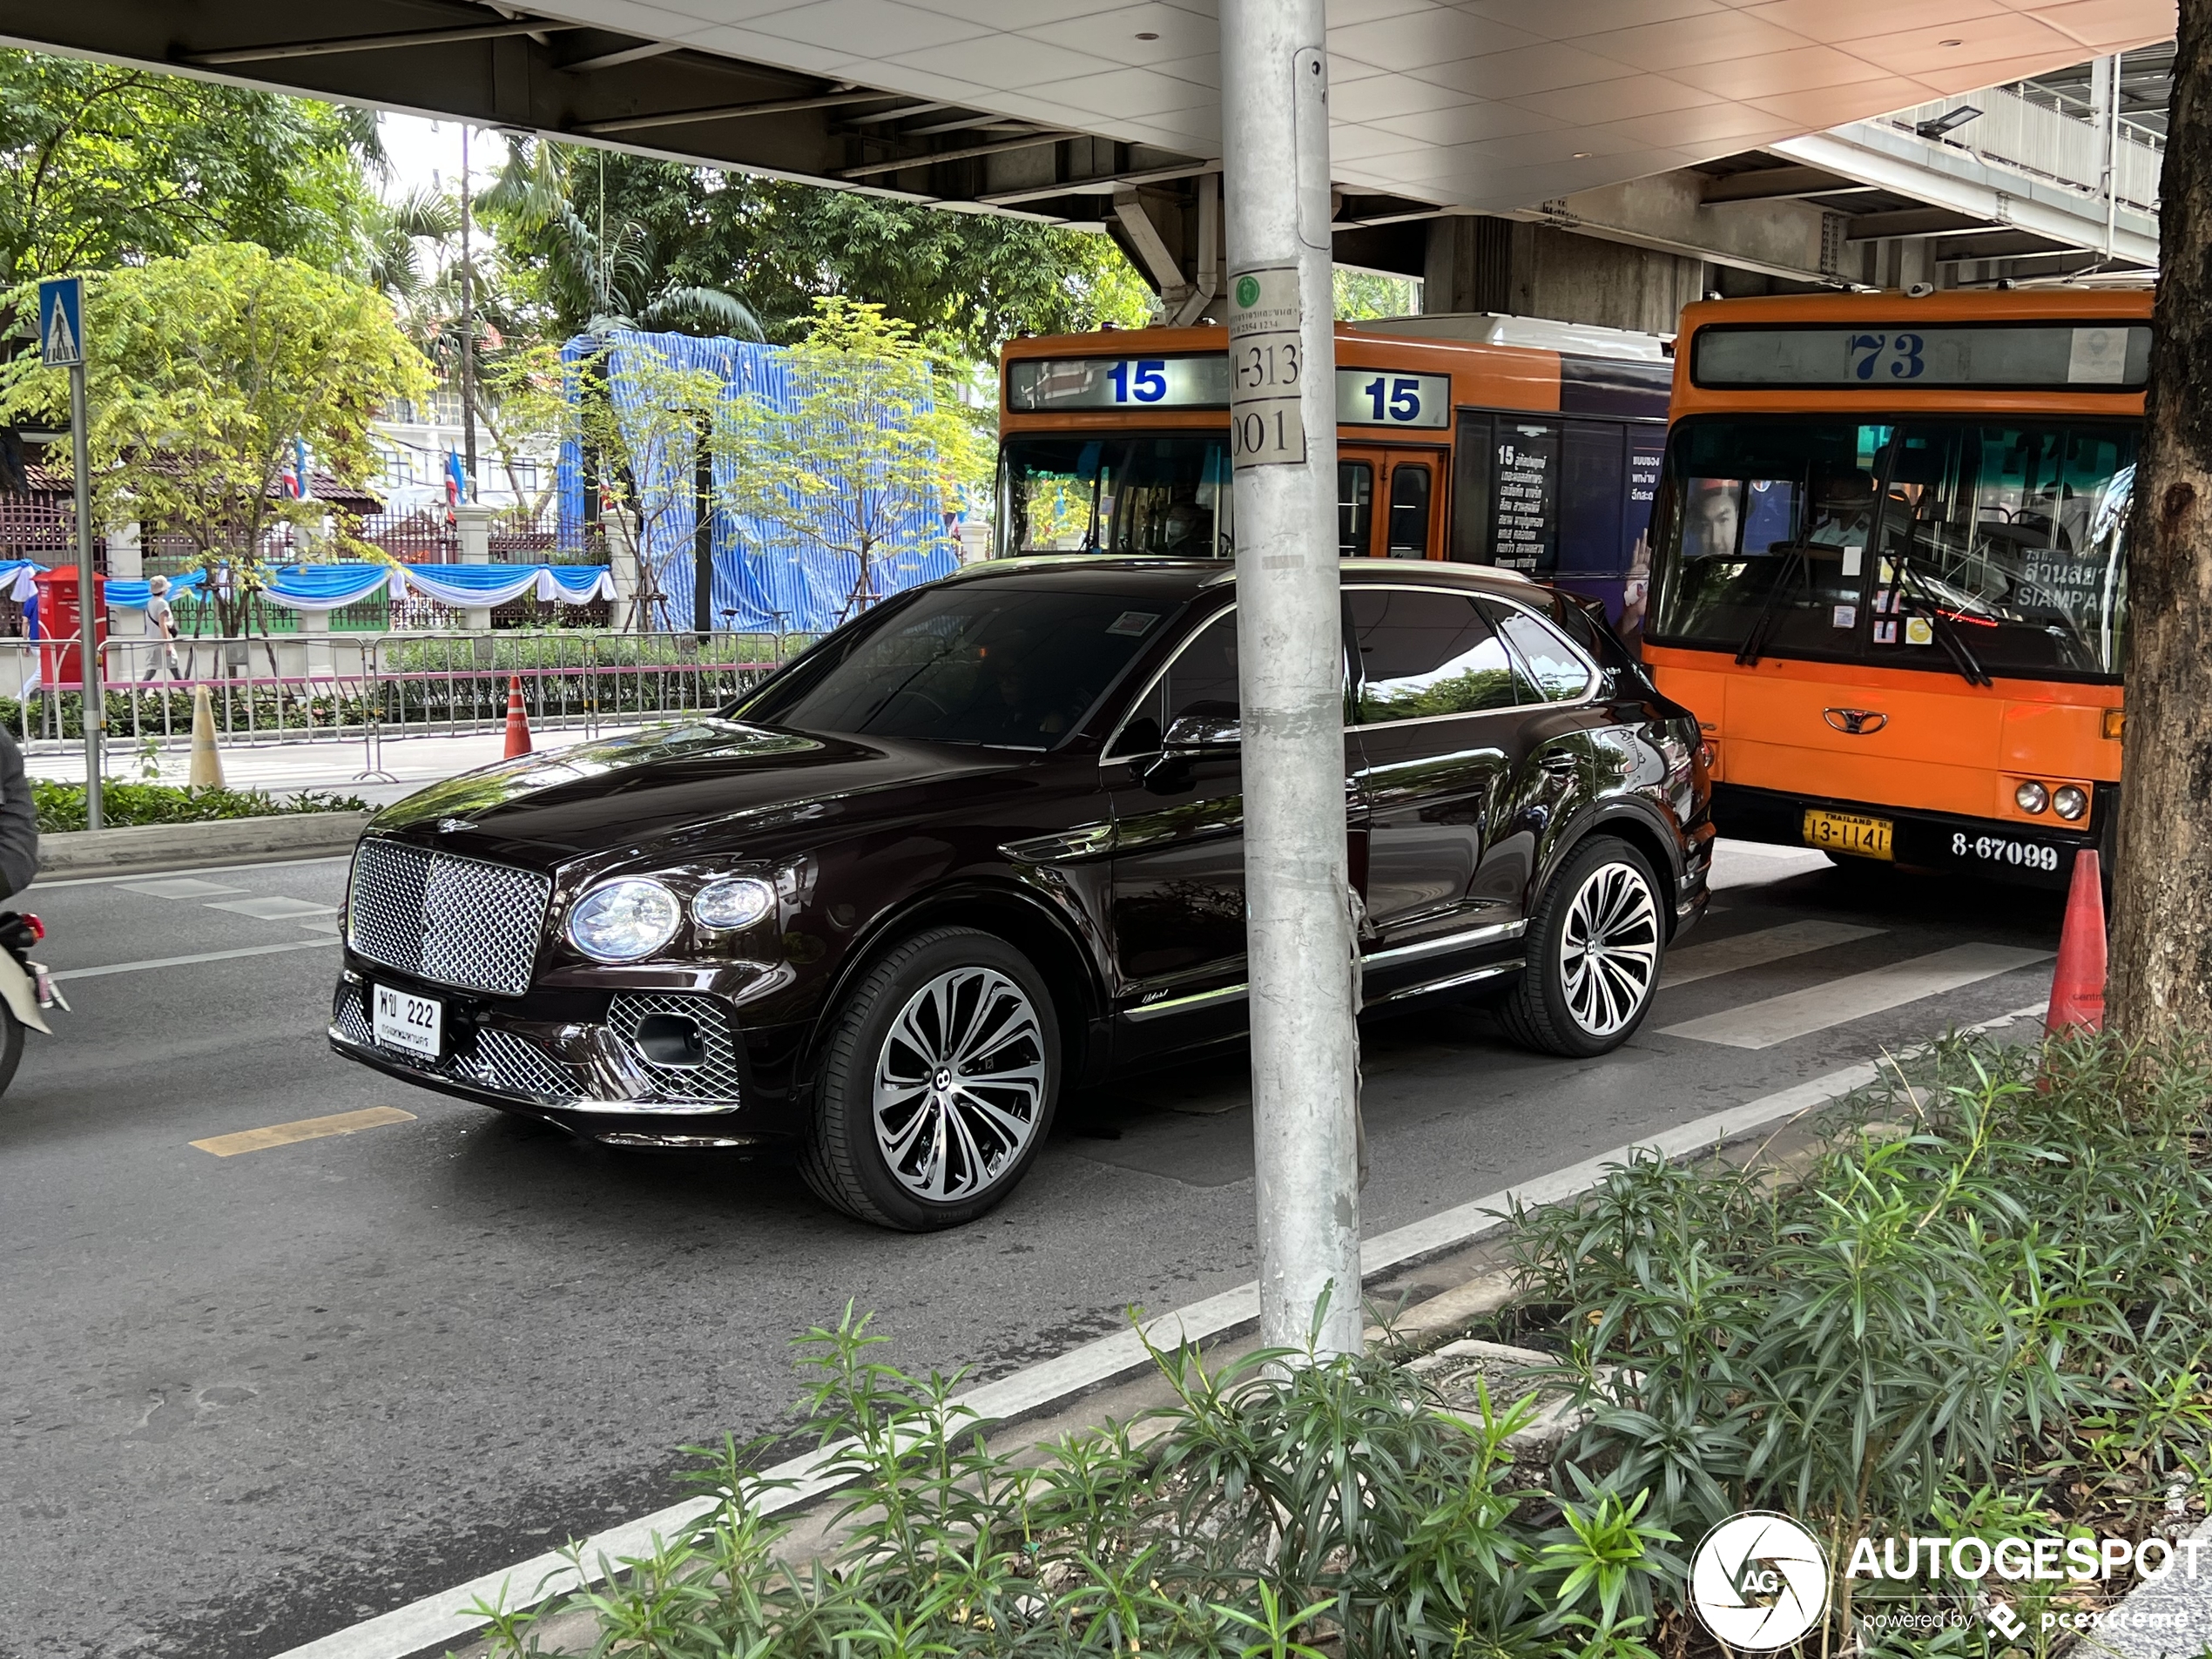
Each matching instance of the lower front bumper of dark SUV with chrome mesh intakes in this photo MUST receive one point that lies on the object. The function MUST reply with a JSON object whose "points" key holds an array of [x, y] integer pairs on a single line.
{"points": [[572, 1061]]}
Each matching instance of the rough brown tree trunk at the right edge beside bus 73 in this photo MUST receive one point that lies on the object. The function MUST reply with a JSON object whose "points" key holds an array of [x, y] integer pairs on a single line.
{"points": [[2162, 881]]}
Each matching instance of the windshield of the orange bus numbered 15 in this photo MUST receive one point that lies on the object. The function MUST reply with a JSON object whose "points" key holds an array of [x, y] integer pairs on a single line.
{"points": [[1116, 494]]}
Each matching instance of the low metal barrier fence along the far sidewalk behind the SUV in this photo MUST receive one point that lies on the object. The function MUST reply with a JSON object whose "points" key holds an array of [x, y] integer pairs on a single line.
{"points": [[368, 689]]}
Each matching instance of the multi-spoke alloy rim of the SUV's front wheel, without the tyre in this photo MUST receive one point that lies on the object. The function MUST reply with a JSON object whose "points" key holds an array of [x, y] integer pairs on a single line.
{"points": [[959, 1085]]}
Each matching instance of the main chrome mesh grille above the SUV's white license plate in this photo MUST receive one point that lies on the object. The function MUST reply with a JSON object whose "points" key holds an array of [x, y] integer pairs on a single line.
{"points": [[455, 921]]}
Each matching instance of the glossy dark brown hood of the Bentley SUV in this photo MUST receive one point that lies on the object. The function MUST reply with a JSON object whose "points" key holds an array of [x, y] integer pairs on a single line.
{"points": [[702, 784]]}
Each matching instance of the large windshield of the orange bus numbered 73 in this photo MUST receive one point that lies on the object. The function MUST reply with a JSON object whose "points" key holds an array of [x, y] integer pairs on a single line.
{"points": [[1985, 547]]}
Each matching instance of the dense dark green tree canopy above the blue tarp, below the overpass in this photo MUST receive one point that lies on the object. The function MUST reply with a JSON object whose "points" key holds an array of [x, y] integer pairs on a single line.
{"points": [[592, 229]]}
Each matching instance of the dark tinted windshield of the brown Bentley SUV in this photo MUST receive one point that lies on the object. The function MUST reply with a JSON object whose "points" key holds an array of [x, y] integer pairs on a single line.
{"points": [[968, 665]]}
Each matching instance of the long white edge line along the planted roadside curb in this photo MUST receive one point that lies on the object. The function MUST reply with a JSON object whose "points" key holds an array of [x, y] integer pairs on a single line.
{"points": [[441, 1618]]}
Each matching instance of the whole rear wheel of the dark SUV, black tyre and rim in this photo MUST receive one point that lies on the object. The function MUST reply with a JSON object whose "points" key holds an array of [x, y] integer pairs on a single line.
{"points": [[1567, 1005]]}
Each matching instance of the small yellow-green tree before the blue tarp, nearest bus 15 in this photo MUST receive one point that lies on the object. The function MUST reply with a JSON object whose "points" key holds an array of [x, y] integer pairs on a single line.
{"points": [[866, 448]]}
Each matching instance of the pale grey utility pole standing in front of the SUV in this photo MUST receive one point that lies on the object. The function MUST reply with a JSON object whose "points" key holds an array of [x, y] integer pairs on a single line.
{"points": [[1275, 145]]}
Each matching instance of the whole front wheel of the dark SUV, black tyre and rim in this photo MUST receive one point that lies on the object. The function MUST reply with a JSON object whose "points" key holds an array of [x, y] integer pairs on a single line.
{"points": [[957, 1140]]}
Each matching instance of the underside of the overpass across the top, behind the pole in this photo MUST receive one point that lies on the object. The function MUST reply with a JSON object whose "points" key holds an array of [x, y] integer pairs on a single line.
{"points": [[1041, 107]]}
